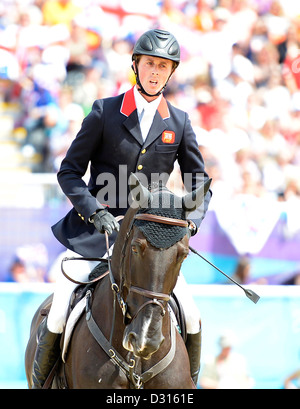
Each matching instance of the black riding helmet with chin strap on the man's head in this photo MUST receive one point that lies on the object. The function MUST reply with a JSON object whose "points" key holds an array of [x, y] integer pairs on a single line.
{"points": [[156, 43]]}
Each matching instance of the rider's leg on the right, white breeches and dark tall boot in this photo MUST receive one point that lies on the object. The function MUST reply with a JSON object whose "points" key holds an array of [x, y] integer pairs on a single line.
{"points": [[193, 325]]}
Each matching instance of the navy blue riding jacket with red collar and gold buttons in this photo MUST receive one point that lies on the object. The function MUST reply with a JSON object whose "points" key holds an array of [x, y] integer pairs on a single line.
{"points": [[110, 141]]}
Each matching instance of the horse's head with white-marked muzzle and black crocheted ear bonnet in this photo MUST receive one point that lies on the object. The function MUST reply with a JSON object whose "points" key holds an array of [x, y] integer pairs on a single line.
{"points": [[155, 245]]}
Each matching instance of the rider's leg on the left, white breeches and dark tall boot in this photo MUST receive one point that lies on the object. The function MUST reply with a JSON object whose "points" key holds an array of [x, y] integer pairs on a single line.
{"points": [[49, 332]]}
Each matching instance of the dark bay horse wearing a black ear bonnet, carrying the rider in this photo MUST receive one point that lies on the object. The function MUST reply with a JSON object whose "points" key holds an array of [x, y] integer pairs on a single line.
{"points": [[126, 337]]}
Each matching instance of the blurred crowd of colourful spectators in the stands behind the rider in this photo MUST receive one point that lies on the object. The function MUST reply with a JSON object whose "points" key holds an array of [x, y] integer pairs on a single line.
{"points": [[239, 80]]}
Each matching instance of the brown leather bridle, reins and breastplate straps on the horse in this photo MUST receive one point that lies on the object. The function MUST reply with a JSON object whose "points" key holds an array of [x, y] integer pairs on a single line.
{"points": [[154, 298]]}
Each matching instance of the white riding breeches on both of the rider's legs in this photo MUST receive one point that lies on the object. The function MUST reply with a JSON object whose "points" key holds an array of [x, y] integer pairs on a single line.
{"points": [[80, 270]]}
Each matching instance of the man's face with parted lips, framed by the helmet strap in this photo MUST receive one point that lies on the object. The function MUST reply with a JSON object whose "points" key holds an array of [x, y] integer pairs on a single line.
{"points": [[154, 72]]}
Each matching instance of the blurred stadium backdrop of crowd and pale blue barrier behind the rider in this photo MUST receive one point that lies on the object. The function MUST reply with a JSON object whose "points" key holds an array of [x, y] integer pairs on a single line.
{"points": [[239, 79]]}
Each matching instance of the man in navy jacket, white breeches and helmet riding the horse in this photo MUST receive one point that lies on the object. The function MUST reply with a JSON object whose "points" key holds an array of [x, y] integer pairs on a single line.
{"points": [[116, 141]]}
